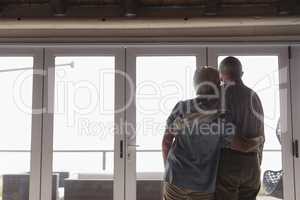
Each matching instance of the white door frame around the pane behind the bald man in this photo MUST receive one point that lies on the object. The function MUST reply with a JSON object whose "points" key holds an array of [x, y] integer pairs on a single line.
{"points": [[285, 97]]}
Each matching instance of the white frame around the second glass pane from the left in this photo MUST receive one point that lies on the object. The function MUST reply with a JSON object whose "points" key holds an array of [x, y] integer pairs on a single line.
{"points": [[47, 143]]}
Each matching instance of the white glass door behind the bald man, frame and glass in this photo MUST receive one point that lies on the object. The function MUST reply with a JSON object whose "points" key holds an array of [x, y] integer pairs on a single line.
{"points": [[266, 71]]}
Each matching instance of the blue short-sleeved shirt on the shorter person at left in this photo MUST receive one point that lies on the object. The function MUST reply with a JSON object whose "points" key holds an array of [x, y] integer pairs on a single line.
{"points": [[192, 161]]}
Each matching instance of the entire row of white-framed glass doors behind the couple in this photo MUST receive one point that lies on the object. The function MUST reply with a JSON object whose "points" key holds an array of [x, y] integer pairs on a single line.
{"points": [[95, 116]]}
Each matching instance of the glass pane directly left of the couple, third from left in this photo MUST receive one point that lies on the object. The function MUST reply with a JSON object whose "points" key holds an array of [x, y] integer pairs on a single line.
{"points": [[161, 81]]}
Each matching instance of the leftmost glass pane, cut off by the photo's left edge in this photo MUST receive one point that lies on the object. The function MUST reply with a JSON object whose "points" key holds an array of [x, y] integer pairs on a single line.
{"points": [[15, 135]]}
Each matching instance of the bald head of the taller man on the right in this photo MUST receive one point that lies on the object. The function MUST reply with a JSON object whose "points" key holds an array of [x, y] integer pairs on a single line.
{"points": [[231, 69]]}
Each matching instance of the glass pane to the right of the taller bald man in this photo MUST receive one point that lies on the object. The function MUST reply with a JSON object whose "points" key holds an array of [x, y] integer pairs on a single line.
{"points": [[262, 75]]}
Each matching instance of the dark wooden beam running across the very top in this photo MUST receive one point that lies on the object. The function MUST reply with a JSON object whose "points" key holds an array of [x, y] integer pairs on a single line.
{"points": [[134, 9]]}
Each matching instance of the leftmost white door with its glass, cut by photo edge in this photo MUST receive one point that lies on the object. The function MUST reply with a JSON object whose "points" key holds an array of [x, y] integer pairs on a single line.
{"points": [[21, 78]]}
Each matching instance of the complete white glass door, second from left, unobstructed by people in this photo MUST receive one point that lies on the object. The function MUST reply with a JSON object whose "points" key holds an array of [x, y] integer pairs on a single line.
{"points": [[84, 93]]}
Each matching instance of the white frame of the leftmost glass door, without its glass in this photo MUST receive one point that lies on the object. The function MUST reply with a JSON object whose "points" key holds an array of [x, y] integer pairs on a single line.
{"points": [[36, 123]]}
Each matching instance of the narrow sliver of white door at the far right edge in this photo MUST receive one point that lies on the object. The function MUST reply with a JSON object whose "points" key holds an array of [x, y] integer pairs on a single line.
{"points": [[295, 73]]}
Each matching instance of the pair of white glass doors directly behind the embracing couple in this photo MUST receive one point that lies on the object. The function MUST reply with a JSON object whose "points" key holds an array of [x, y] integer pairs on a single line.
{"points": [[162, 76]]}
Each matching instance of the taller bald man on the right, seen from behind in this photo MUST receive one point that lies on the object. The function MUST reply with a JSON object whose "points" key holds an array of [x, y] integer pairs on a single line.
{"points": [[239, 167]]}
